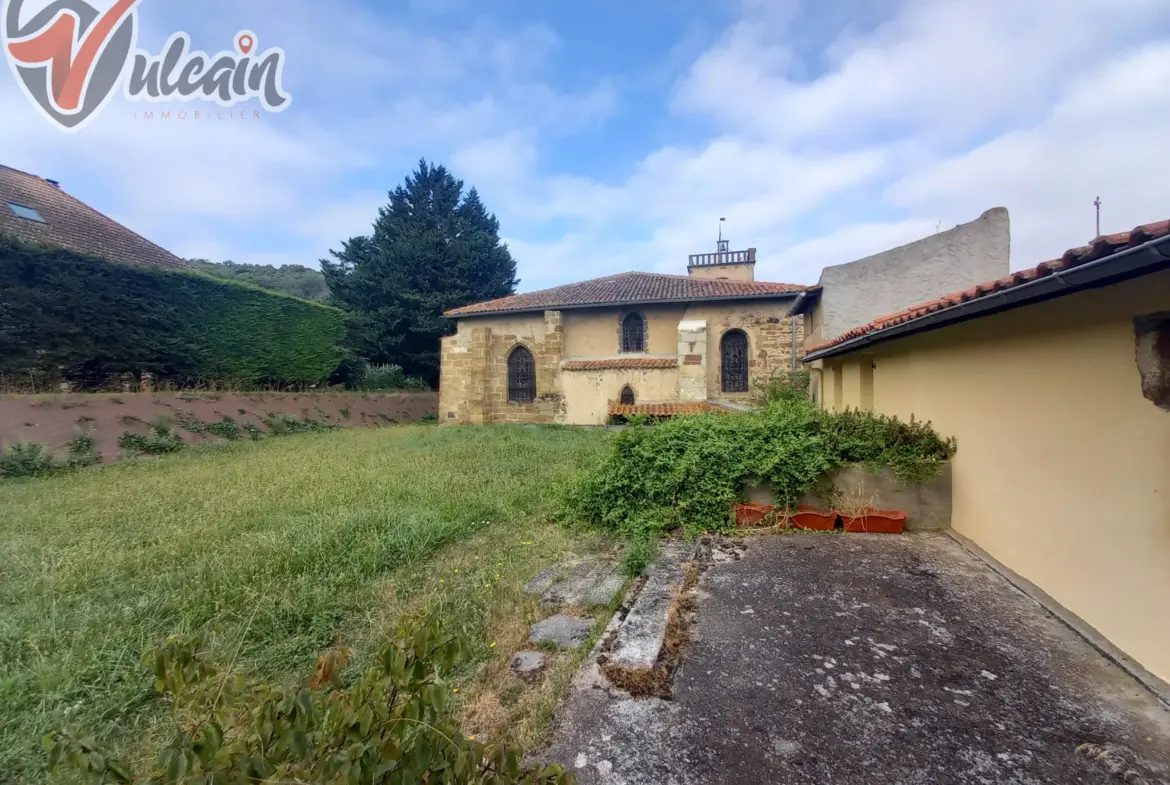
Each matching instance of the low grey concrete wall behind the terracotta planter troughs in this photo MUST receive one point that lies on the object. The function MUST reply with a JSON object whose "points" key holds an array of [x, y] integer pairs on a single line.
{"points": [[928, 506]]}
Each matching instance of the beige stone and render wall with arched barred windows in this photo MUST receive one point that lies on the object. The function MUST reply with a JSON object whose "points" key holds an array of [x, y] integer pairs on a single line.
{"points": [[474, 377]]}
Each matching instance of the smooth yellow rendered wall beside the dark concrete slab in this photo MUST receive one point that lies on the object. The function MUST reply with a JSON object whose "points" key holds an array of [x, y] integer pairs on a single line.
{"points": [[1063, 472]]}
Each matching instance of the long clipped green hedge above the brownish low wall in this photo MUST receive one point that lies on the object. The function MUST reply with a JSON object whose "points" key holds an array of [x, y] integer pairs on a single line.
{"points": [[86, 320]]}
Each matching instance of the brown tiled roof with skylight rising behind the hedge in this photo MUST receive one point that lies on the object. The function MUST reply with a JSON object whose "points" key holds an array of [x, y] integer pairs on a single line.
{"points": [[72, 224]]}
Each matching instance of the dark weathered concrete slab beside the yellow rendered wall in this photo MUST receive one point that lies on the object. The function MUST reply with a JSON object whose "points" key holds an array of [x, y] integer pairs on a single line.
{"points": [[865, 659]]}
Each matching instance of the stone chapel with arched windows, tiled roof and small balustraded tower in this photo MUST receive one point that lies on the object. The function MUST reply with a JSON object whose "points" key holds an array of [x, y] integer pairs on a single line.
{"points": [[623, 345]]}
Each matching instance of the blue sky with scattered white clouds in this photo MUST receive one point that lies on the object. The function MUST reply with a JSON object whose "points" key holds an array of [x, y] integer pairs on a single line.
{"points": [[611, 136]]}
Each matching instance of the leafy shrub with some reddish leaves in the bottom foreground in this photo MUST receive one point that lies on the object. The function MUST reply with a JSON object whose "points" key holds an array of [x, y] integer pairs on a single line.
{"points": [[394, 725]]}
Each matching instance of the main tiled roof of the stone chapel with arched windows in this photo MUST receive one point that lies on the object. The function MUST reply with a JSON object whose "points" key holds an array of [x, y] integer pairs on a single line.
{"points": [[629, 290]]}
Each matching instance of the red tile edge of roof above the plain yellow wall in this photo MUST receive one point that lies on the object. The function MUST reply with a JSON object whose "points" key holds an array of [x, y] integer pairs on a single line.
{"points": [[1100, 249]]}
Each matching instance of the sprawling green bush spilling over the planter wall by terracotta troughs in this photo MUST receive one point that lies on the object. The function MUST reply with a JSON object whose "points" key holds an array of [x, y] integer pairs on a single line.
{"points": [[689, 472]]}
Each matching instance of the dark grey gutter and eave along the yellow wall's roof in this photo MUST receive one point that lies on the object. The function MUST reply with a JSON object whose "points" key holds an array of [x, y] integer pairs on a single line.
{"points": [[1114, 268]]}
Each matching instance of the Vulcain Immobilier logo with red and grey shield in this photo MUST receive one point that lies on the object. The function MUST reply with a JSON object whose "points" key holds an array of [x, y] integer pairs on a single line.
{"points": [[71, 58]]}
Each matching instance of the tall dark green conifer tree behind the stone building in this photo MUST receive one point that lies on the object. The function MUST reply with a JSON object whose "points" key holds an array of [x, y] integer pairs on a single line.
{"points": [[432, 249]]}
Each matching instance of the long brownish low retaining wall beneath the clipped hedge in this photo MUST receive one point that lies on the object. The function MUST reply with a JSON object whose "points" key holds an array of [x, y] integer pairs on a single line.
{"points": [[53, 421]]}
